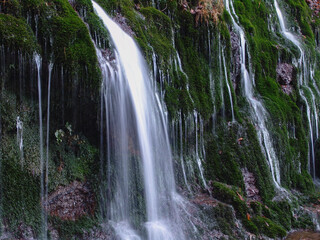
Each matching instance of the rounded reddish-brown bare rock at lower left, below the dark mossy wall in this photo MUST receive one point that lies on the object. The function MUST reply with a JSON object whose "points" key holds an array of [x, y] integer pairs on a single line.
{"points": [[71, 202]]}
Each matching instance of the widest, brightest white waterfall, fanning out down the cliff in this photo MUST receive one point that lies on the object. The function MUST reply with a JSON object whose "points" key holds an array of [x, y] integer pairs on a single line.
{"points": [[136, 154]]}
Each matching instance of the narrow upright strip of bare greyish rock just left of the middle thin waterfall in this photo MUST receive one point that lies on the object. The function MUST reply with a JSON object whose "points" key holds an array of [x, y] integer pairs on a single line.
{"points": [[236, 63]]}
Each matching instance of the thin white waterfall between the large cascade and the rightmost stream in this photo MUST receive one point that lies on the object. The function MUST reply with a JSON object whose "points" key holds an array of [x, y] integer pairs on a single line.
{"points": [[258, 112]]}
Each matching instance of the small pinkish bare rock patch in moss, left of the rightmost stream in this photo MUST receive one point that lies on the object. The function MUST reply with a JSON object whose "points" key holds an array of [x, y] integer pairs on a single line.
{"points": [[285, 77]]}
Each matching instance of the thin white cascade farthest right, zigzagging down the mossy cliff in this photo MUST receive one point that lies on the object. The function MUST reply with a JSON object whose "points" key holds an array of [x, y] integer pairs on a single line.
{"points": [[302, 83]]}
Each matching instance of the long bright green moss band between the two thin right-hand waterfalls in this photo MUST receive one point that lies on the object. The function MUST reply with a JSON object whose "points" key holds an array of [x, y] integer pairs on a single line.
{"points": [[282, 108]]}
